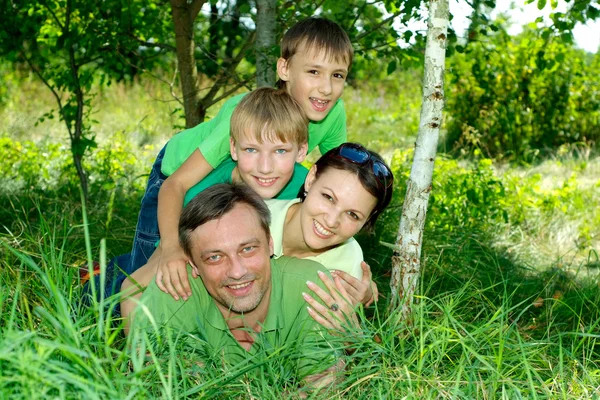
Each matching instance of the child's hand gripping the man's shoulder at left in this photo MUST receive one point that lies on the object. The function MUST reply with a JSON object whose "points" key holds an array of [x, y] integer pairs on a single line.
{"points": [[171, 275]]}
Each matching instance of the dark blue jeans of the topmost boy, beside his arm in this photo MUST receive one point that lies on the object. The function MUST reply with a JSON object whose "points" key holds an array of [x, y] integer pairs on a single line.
{"points": [[146, 231]]}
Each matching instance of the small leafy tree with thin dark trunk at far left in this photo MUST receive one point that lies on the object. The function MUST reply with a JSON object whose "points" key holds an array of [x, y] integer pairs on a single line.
{"points": [[63, 45]]}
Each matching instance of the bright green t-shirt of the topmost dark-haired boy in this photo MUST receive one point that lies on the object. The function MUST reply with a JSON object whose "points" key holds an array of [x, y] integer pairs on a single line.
{"points": [[212, 137]]}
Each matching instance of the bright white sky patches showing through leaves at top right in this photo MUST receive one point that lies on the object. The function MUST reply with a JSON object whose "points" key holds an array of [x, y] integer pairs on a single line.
{"points": [[586, 36]]}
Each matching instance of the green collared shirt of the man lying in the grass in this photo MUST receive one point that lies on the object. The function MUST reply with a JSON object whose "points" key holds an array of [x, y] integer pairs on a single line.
{"points": [[288, 329]]}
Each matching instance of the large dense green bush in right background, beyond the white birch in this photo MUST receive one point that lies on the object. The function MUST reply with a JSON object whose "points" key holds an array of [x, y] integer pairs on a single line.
{"points": [[513, 96]]}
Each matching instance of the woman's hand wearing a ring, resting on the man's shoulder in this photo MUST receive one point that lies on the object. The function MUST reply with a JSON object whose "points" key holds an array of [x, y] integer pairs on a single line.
{"points": [[338, 312]]}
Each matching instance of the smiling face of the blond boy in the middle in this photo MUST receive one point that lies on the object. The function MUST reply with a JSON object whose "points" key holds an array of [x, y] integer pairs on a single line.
{"points": [[268, 166]]}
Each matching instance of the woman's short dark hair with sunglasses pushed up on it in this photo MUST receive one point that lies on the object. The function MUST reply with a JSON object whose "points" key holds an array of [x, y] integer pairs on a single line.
{"points": [[379, 184]]}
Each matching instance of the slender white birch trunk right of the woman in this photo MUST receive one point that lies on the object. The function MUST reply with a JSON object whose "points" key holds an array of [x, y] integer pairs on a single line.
{"points": [[406, 262]]}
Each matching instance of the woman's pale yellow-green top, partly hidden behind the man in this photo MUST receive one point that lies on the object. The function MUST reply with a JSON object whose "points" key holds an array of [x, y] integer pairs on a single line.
{"points": [[345, 257]]}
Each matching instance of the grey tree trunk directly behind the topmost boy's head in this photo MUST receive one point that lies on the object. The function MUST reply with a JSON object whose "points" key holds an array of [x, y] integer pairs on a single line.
{"points": [[265, 41]]}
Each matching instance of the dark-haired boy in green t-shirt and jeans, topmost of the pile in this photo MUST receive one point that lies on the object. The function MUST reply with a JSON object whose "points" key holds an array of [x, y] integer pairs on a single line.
{"points": [[316, 55]]}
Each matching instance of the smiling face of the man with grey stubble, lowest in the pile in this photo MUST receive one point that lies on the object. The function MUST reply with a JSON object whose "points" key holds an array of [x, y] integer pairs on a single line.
{"points": [[233, 258]]}
